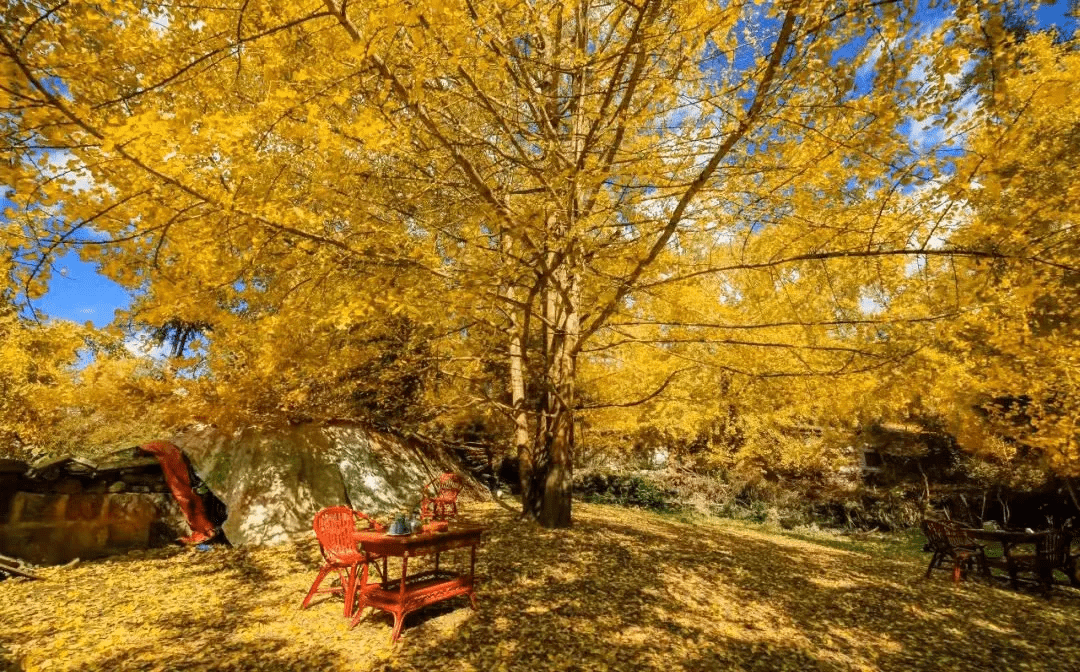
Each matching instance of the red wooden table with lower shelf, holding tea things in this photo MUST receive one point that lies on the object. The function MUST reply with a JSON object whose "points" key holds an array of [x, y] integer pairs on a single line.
{"points": [[410, 594]]}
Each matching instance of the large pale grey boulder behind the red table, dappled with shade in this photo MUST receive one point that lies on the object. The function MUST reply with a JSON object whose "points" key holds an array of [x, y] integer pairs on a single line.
{"points": [[274, 481]]}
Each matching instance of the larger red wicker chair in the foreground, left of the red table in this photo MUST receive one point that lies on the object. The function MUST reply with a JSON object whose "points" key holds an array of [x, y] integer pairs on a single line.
{"points": [[336, 531]]}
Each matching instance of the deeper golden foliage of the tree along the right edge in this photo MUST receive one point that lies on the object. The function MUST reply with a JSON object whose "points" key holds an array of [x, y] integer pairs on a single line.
{"points": [[1018, 350]]}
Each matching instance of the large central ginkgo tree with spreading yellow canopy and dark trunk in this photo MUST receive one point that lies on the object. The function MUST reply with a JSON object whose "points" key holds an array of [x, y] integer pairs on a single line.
{"points": [[655, 195]]}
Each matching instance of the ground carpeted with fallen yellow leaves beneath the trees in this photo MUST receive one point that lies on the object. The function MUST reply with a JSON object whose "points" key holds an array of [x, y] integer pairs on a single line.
{"points": [[623, 590]]}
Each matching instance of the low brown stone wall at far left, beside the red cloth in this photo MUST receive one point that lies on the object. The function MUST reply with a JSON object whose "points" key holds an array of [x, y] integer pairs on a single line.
{"points": [[49, 529]]}
